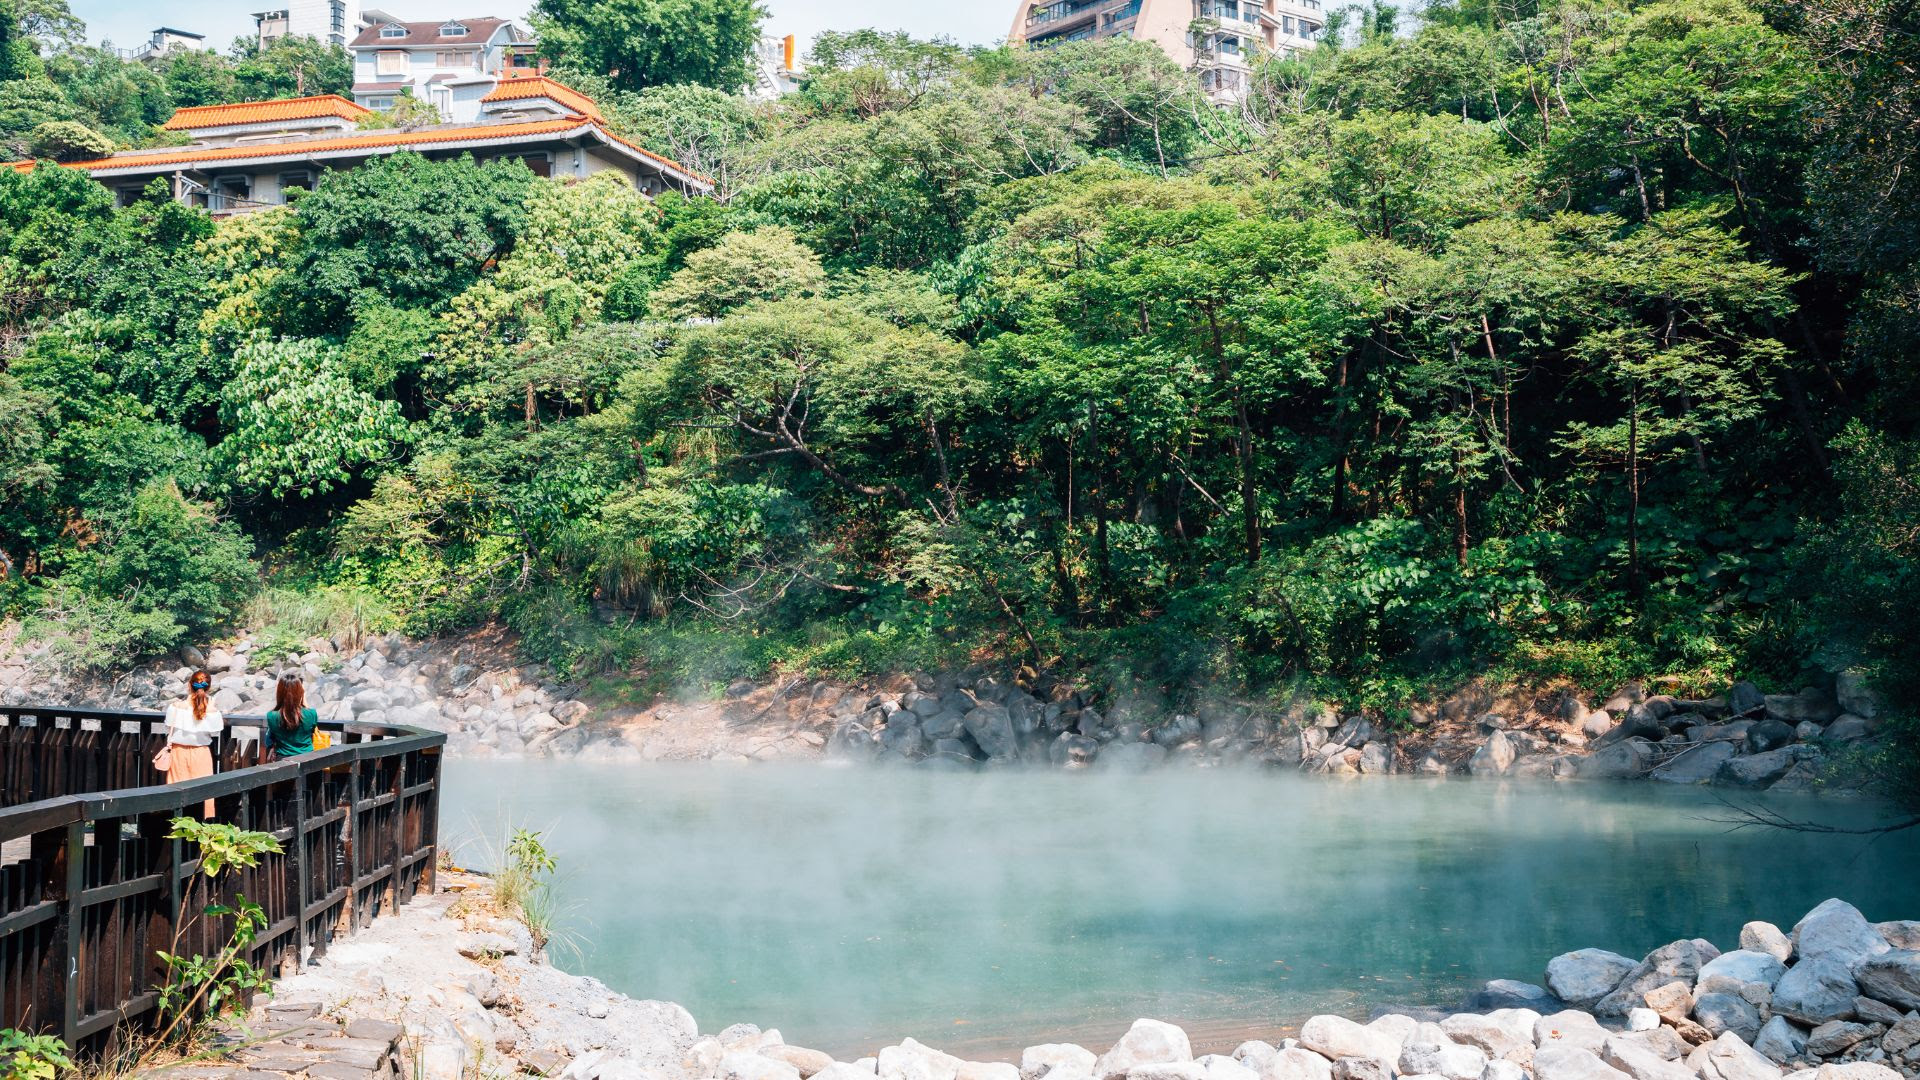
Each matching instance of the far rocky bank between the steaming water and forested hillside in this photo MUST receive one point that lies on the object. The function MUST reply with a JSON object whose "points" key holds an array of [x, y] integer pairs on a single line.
{"points": [[491, 704]]}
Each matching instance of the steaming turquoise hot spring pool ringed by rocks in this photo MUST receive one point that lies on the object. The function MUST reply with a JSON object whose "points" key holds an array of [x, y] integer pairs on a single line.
{"points": [[853, 908]]}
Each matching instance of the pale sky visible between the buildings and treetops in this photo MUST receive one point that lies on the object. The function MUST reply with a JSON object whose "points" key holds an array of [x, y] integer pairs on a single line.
{"points": [[969, 22]]}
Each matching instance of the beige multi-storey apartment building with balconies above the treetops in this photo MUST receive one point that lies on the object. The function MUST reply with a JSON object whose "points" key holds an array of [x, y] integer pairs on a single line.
{"points": [[1216, 39]]}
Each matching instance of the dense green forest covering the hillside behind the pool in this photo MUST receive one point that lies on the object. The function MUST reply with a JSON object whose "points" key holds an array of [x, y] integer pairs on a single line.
{"points": [[1524, 343]]}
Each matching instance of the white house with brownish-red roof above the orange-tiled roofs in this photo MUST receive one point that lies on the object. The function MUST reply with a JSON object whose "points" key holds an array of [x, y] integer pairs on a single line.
{"points": [[450, 64]]}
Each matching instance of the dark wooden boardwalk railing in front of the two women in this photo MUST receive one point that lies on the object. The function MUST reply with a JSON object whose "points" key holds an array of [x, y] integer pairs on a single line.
{"points": [[91, 885]]}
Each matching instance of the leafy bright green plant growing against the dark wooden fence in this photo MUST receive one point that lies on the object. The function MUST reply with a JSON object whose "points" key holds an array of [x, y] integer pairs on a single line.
{"points": [[210, 987]]}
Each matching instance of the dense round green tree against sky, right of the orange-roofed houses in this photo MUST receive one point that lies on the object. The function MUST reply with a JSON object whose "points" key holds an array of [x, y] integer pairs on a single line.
{"points": [[654, 43]]}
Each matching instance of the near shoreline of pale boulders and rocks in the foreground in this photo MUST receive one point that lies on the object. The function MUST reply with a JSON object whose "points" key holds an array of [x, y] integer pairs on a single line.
{"points": [[466, 993]]}
